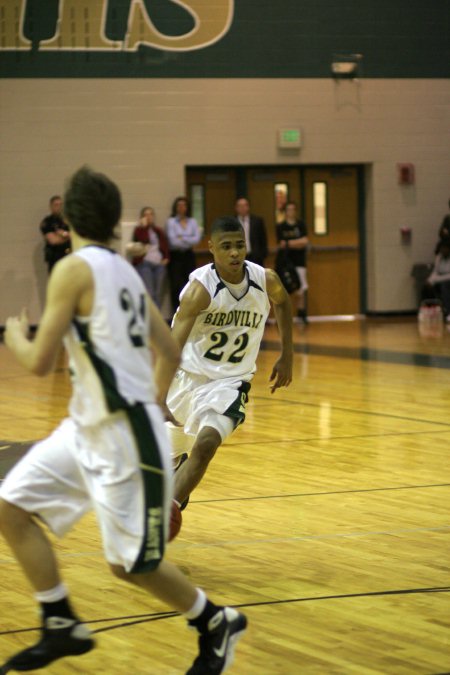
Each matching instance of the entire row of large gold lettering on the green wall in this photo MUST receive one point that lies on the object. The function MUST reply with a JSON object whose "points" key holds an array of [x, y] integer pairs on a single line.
{"points": [[80, 25]]}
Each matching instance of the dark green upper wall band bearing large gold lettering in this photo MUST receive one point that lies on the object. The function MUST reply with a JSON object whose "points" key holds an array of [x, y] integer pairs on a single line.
{"points": [[231, 38]]}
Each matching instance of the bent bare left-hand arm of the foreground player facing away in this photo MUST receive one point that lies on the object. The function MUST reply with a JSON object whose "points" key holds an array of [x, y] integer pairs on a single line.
{"points": [[70, 284]]}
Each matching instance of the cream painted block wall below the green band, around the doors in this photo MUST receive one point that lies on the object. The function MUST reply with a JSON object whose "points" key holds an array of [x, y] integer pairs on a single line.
{"points": [[142, 133]]}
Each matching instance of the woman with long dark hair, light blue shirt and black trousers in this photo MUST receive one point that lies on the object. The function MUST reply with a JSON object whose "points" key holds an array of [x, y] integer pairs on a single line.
{"points": [[183, 233]]}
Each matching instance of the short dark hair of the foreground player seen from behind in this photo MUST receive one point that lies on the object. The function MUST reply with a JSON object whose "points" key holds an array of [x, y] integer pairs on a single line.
{"points": [[92, 204]]}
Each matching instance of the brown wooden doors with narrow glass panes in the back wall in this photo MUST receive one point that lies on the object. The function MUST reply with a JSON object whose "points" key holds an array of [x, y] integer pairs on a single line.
{"points": [[328, 202]]}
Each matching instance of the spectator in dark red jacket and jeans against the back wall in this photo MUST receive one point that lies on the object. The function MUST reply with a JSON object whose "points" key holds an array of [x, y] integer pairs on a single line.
{"points": [[152, 256]]}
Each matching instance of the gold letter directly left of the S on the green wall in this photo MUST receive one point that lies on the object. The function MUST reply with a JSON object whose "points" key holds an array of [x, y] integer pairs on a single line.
{"points": [[81, 27]]}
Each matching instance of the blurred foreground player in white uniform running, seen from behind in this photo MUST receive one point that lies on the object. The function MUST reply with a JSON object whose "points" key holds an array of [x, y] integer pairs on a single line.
{"points": [[112, 454]]}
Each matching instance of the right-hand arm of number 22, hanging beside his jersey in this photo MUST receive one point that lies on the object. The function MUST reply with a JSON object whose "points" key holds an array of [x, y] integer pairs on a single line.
{"points": [[281, 375]]}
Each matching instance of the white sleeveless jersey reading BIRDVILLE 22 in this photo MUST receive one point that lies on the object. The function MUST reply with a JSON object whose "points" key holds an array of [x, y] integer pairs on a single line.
{"points": [[226, 336]]}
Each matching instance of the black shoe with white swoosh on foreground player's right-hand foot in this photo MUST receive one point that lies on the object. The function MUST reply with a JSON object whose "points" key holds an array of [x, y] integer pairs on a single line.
{"points": [[218, 644]]}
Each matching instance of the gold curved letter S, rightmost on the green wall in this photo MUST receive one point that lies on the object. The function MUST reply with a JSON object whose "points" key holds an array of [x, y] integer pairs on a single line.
{"points": [[212, 20]]}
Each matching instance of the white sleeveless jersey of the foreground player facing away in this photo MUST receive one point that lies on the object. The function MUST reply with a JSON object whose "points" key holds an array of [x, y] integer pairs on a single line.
{"points": [[109, 358]]}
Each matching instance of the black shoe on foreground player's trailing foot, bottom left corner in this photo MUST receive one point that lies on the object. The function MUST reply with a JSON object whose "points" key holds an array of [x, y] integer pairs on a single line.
{"points": [[60, 637]]}
